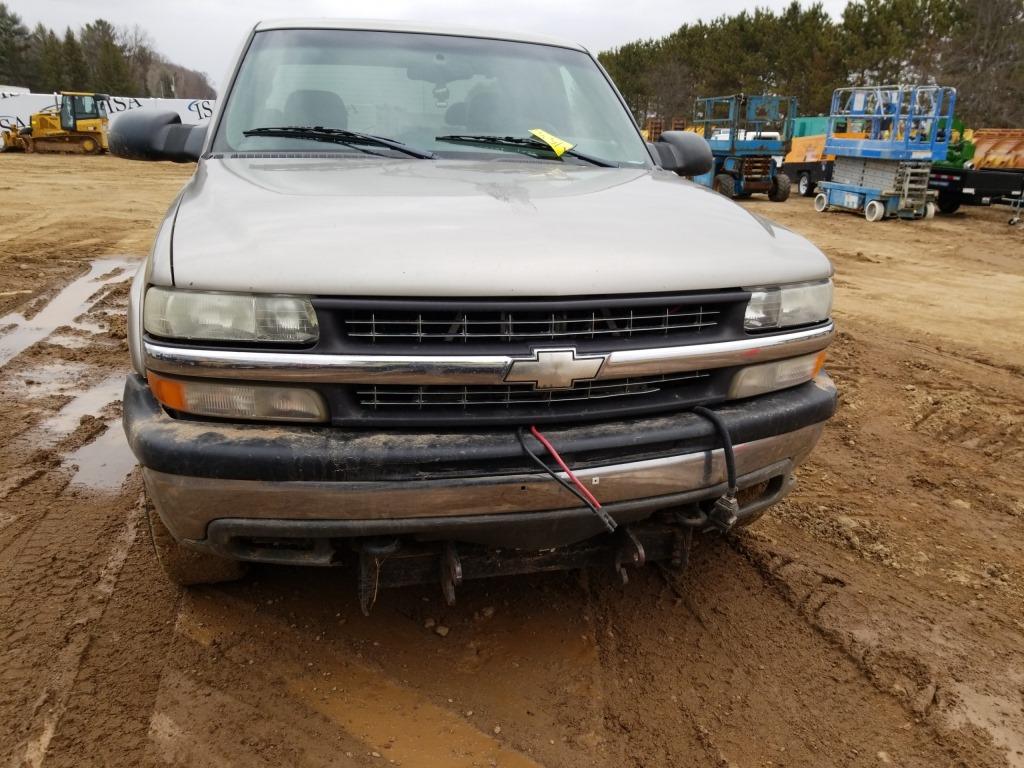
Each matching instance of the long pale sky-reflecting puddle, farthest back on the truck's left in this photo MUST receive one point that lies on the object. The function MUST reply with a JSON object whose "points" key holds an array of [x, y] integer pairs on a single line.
{"points": [[76, 300]]}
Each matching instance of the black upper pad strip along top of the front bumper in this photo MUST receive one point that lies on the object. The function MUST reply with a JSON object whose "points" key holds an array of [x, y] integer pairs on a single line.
{"points": [[286, 453]]}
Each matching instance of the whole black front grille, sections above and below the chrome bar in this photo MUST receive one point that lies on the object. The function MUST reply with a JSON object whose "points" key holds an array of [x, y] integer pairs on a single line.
{"points": [[522, 328]]}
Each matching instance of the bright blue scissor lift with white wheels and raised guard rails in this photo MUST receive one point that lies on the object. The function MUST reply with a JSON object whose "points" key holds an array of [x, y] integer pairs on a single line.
{"points": [[884, 174]]}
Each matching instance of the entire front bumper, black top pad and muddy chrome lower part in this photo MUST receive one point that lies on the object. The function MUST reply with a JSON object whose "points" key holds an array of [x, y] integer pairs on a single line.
{"points": [[306, 495]]}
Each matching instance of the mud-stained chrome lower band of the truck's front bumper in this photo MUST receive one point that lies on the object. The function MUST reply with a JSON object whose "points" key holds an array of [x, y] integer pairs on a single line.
{"points": [[189, 504]]}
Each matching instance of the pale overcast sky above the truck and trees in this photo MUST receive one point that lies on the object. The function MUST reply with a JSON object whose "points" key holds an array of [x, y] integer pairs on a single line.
{"points": [[205, 34]]}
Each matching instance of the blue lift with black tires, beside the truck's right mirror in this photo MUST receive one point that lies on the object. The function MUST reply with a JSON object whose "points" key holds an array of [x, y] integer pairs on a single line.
{"points": [[747, 135]]}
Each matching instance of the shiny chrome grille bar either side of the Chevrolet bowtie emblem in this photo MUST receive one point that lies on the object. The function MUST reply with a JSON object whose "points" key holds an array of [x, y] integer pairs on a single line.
{"points": [[456, 369]]}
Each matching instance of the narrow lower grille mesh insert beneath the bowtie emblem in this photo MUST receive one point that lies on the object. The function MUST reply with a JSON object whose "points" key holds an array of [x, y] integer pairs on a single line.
{"points": [[511, 396]]}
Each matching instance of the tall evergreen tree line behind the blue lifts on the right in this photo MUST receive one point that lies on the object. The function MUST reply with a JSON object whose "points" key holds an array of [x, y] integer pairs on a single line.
{"points": [[975, 46]]}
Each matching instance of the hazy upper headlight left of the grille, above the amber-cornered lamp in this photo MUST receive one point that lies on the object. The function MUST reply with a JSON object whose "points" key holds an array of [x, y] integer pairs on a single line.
{"points": [[230, 317]]}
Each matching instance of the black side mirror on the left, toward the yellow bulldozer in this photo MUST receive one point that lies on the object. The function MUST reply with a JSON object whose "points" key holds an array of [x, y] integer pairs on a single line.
{"points": [[161, 136]]}
